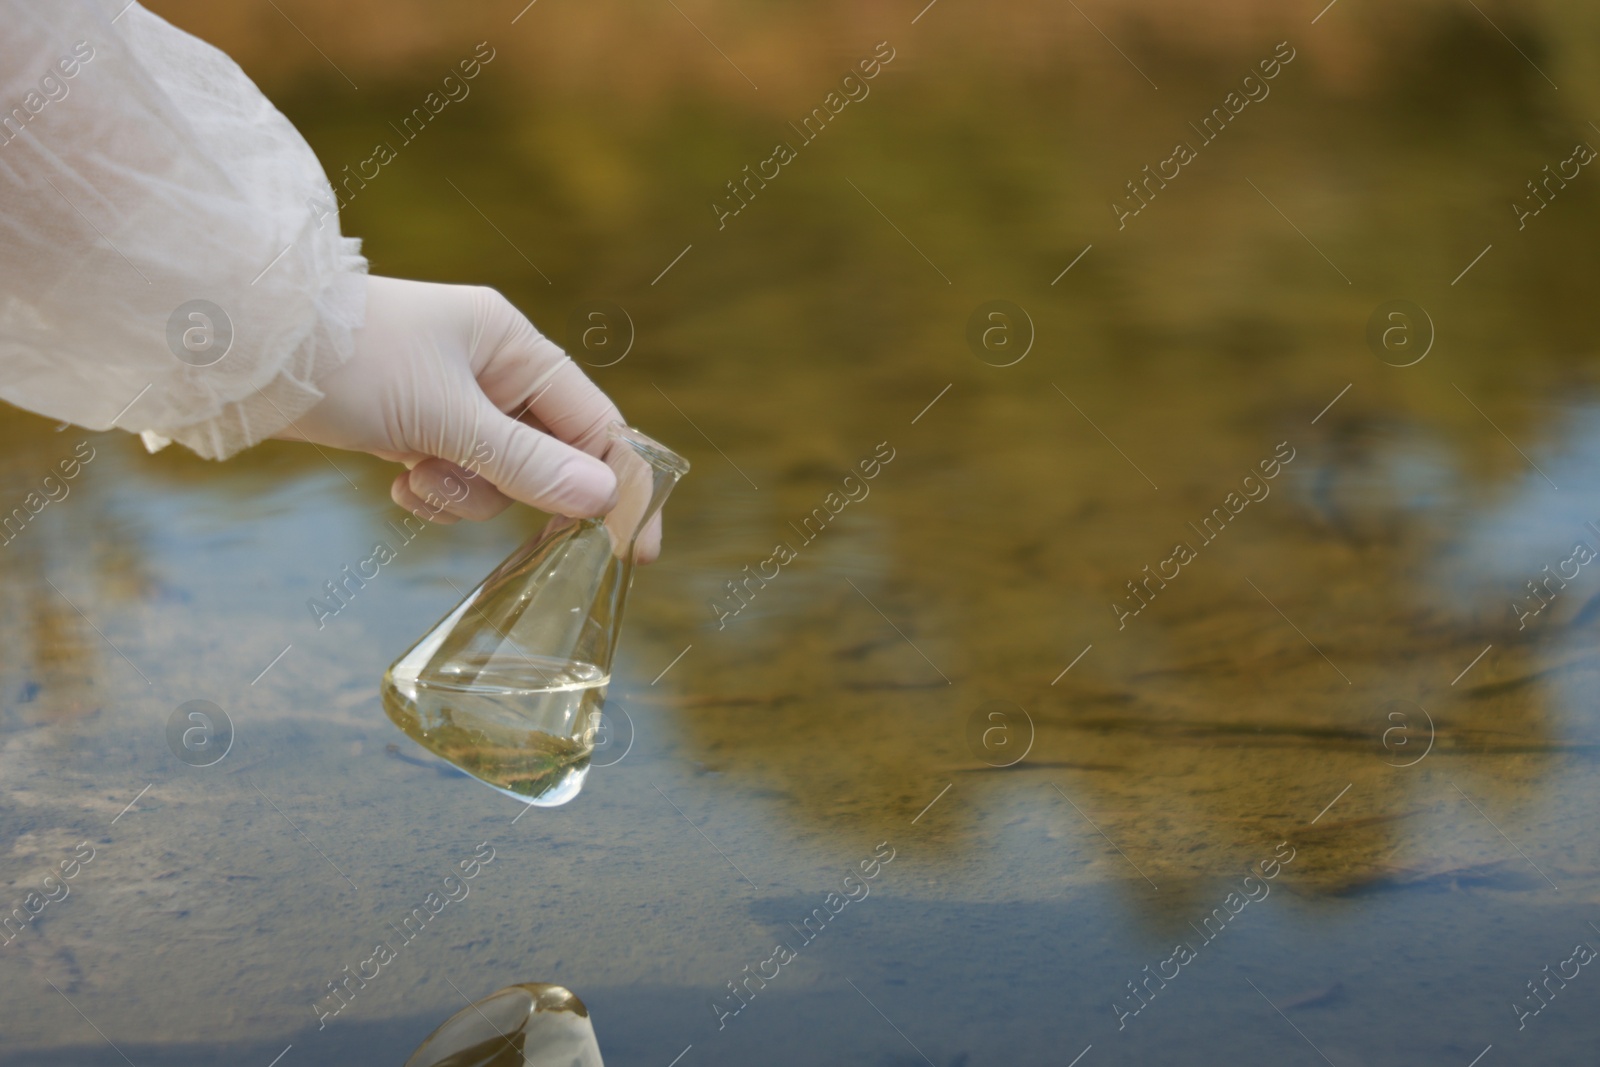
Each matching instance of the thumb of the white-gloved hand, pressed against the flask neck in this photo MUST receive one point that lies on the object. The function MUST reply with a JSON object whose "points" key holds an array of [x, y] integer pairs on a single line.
{"points": [[542, 471]]}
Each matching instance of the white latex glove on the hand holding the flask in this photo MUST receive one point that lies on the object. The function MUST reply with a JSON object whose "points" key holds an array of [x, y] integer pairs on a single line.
{"points": [[452, 380]]}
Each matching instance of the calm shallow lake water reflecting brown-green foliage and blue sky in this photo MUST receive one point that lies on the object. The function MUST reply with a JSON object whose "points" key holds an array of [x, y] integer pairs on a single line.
{"points": [[1206, 621]]}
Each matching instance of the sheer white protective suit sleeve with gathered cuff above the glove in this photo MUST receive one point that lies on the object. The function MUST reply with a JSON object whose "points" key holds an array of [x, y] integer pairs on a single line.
{"points": [[143, 172]]}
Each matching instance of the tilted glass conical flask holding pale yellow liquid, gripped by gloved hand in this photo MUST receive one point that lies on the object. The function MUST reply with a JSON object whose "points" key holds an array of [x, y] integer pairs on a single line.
{"points": [[510, 685]]}
